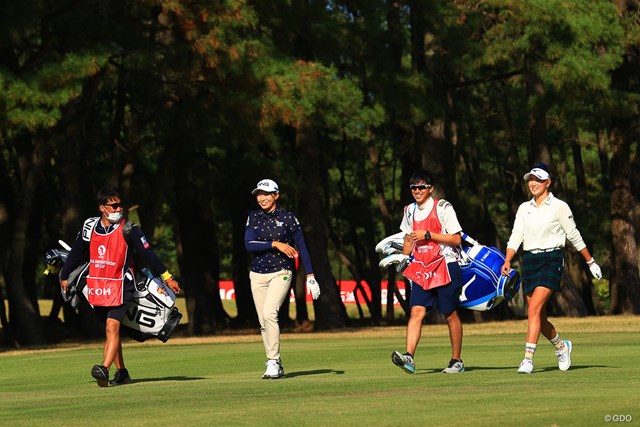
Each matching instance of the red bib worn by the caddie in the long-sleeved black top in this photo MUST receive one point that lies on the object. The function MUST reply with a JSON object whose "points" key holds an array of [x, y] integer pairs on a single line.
{"points": [[107, 254]]}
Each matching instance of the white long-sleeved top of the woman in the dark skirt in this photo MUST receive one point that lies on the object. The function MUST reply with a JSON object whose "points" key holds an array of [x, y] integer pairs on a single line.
{"points": [[544, 227]]}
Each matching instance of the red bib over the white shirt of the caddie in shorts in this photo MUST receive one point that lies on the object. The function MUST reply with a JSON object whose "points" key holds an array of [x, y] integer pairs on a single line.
{"points": [[429, 267]]}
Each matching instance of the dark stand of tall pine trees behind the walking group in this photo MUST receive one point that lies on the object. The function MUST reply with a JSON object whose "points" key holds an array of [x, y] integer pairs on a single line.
{"points": [[186, 105]]}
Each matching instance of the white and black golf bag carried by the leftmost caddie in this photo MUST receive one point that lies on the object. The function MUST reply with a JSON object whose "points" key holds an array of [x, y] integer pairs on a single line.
{"points": [[151, 313]]}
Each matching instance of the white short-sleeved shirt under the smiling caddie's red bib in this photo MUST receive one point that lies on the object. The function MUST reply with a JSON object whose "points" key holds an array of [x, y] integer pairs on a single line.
{"points": [[446, 215]]}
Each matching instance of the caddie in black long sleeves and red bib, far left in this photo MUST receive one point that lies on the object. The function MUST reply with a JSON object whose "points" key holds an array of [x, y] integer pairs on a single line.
{"points": [[107, 243]]}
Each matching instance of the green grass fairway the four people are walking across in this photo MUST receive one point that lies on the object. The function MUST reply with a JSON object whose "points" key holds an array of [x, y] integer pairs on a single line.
{"points": [[336, 379]]}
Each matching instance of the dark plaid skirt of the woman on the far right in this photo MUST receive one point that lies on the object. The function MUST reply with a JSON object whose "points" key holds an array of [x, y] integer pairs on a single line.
{"points": [[542, 269]]}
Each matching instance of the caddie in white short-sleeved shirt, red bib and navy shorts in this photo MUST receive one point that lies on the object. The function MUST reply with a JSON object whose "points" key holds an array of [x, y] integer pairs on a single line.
{"points": [[432, 237]]}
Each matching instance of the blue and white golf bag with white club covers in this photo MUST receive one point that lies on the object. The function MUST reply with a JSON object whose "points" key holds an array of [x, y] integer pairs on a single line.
{"points": [[484, 285]]}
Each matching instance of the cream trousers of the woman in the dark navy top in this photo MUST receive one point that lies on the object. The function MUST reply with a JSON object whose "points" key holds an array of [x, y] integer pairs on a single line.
{"points": [[269, 291]]}
